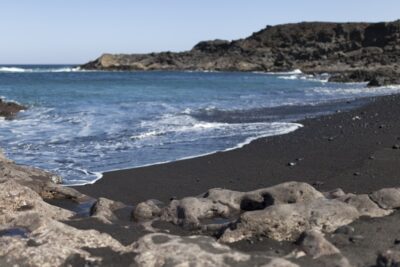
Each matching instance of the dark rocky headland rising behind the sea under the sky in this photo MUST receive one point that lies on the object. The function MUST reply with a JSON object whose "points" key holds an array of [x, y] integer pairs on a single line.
{"points": [[350, 52]]}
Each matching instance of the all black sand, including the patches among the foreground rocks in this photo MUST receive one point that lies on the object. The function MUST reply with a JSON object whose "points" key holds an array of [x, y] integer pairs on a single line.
{"points": [[357, 151]]}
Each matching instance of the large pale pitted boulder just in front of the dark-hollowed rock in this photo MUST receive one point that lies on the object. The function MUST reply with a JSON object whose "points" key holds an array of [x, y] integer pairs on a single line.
{"points": [[288, 221]]}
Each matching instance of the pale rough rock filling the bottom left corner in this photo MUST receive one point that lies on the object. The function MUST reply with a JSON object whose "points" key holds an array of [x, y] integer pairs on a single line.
{"points": [[51, 243]]}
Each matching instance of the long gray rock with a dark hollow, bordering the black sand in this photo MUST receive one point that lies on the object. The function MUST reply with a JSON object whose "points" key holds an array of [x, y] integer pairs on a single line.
{"points": [[227, 203]]}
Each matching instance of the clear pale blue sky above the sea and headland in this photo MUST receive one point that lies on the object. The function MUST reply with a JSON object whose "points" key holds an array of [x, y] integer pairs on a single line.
{"points": [[75, 31]]}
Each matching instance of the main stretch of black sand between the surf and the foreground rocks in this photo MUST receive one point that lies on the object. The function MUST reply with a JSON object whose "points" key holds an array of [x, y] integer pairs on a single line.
{"points": [[355, 150]]}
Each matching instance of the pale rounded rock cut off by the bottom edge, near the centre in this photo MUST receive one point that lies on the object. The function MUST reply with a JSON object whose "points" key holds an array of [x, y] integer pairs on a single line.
{"points": [[169, 250]]}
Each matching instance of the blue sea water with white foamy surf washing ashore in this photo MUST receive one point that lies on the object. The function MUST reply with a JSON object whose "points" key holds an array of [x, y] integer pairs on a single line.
{"points": [[82, 123]]}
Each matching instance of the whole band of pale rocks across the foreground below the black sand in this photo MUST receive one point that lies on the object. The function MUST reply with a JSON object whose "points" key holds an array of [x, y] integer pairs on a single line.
{"points": [[293, 224]]}
